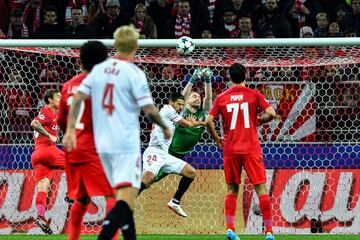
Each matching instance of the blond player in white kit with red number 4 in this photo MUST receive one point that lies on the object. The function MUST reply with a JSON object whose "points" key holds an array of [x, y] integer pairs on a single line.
{"points": [[119, 91]]}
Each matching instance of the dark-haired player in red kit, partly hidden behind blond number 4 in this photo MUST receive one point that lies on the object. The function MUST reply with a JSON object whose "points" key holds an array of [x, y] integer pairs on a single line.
{"points": [[85, 174]]}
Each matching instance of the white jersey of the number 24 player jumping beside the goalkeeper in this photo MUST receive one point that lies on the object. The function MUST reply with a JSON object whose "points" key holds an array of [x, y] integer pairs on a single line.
{"points": [[170, 117]]}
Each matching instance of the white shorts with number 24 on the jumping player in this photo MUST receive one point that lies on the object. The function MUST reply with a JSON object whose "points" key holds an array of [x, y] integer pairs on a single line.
{"points": [[155, 159]]}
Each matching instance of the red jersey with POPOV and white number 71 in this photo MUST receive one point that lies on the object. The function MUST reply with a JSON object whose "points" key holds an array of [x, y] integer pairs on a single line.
{"points": [[238, 107]]}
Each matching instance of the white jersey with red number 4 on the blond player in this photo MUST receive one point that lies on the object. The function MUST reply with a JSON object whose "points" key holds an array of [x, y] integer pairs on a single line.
{"points": [[118, 90]]}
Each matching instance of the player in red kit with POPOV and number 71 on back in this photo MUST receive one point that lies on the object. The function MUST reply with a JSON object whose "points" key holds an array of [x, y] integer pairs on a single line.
{"points": [[238, 107]]}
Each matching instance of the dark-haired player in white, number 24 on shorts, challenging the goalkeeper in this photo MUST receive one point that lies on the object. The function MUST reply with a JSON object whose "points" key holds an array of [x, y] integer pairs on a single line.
{"points": [[156, 158]]}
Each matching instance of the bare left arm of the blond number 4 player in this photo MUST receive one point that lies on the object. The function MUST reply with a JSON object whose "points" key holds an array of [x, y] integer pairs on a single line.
{"points": [[70, 135]]}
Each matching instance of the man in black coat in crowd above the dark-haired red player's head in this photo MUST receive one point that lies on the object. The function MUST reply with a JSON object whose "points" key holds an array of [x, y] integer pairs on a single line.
{"points": [[78, 29]]}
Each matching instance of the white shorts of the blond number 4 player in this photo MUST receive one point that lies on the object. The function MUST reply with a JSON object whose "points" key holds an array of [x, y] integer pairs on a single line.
{"points": [[122, 169]]}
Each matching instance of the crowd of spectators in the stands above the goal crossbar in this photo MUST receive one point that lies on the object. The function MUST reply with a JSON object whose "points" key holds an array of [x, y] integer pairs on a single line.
{"points": [[90, 19]]}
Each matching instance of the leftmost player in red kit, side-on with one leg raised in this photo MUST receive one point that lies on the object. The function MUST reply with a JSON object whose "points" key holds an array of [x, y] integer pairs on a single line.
{"points": [[46, 156]]}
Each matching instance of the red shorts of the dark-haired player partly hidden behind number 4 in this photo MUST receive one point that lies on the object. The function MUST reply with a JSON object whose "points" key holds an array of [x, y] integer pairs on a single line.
{"points": [[87, 179]]}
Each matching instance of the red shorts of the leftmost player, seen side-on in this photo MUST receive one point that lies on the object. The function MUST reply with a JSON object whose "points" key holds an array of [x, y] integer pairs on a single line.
{"points": [[45, 160]]}
